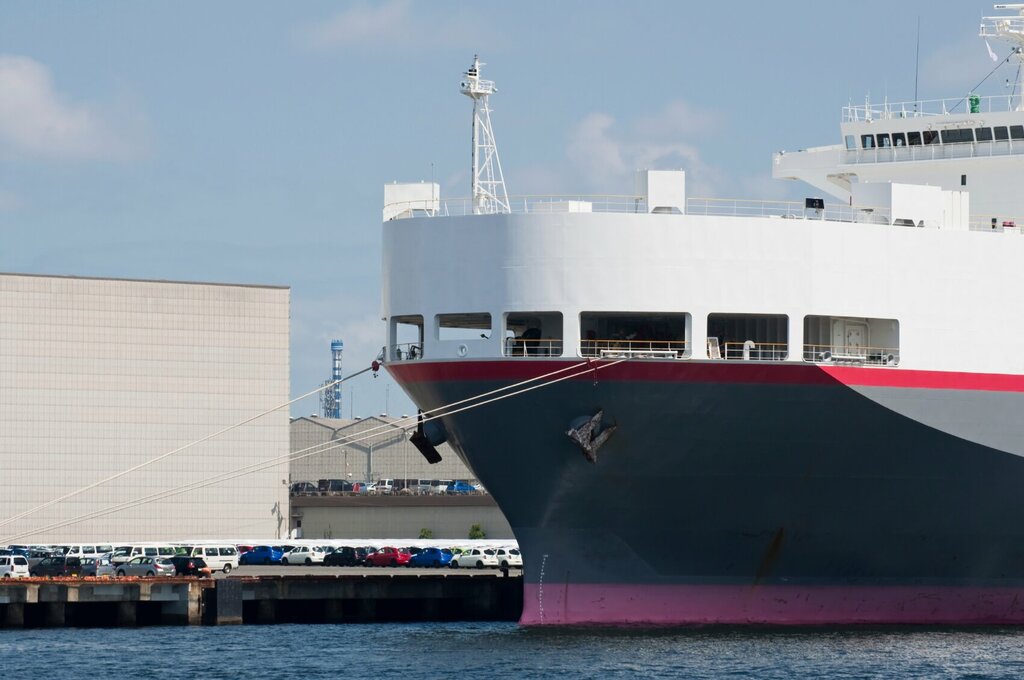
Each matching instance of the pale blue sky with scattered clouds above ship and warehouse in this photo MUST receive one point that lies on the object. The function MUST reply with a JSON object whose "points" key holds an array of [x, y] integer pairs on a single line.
{"points": [[250, 142]]}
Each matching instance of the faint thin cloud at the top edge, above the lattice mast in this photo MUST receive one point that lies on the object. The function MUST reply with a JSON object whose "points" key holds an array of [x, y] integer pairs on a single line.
{"points": [[390, 27]]}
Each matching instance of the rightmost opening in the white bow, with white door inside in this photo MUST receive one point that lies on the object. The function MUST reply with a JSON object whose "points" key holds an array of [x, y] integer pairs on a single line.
{"points": [[851, 341]]}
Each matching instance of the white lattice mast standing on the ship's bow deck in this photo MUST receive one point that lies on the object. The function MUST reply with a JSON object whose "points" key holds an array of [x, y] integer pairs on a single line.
{"points": [[489, 184]]}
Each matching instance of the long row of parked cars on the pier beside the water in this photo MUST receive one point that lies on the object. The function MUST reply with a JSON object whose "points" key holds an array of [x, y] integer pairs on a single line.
{"points": [[166, 560]]}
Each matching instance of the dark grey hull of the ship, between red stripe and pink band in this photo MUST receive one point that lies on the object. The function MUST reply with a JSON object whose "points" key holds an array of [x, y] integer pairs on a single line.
{"points": [[741, 480]]}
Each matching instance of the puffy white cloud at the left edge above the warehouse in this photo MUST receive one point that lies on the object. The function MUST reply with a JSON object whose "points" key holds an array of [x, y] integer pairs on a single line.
{"points": [[37, 121]]}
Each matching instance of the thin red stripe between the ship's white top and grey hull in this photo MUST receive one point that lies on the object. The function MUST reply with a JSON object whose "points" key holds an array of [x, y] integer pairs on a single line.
{"points": [[706, 372]]}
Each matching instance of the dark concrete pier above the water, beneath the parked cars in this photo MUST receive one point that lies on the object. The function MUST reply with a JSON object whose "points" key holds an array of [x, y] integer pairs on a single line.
{"points": [[345, 599]]}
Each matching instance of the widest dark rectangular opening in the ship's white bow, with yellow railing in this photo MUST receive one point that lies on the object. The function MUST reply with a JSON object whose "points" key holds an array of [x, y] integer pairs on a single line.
{"points": [[652, 335]]}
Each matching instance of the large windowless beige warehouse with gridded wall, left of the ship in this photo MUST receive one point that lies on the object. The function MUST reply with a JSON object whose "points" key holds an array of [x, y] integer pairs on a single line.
{"points": [[102, 376]]}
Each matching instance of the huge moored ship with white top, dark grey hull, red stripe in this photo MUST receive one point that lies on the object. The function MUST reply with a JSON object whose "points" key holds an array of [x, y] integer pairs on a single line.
{"points": [[698, 411]]}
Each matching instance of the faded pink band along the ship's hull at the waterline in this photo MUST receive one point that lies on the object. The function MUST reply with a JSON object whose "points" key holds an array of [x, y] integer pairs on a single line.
{"points": [[789, 606]]}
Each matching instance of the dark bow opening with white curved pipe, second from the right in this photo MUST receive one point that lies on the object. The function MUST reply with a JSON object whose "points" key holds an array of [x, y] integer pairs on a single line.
{"points": [[751, 337]]}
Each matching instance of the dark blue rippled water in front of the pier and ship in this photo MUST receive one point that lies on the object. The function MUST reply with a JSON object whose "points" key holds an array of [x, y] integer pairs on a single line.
{"points": [[457, 651]]}
